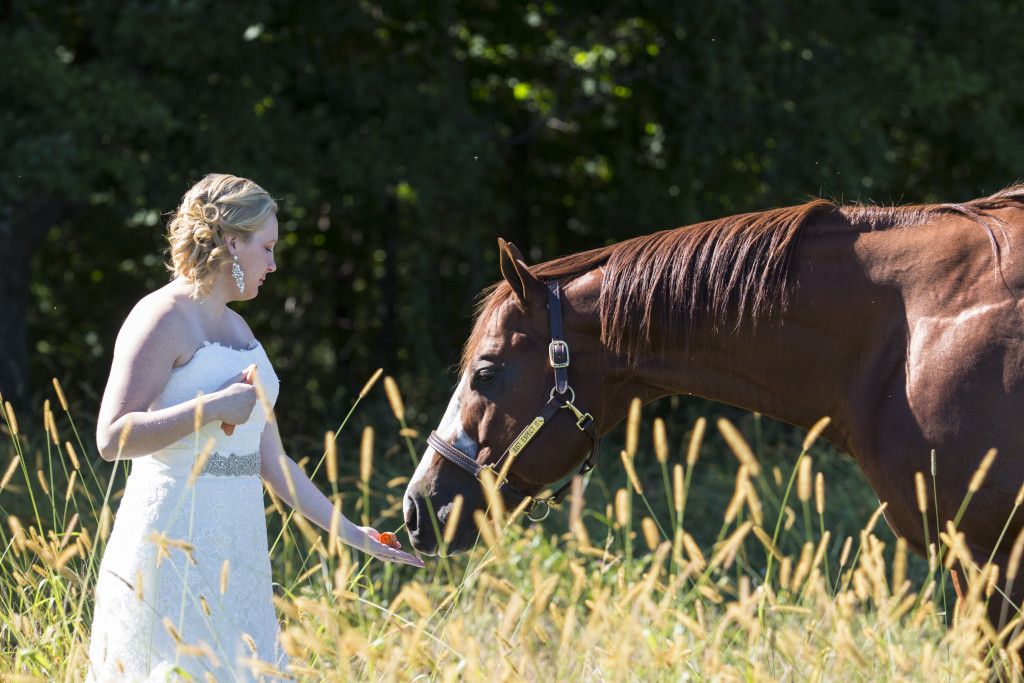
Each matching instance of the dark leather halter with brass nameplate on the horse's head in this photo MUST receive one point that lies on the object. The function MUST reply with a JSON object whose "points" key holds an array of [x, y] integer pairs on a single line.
{"points": [[563, 397]]}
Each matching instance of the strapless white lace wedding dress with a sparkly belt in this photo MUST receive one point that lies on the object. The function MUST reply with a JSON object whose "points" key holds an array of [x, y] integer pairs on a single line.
{"points": [[185, 585]]}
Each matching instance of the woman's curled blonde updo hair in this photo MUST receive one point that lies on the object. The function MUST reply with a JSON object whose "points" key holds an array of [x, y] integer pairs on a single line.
{"points": [[218, 207]]}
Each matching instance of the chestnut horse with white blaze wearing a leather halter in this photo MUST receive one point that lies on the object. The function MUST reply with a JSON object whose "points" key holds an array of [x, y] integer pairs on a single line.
{"points": [[904, 325]]}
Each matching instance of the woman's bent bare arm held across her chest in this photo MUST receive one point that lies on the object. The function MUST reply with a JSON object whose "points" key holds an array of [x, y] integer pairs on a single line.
{"points": [[155, 337]]}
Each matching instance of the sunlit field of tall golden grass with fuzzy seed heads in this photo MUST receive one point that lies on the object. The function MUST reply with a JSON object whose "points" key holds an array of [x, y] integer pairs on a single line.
{"points": [[703, 549]]}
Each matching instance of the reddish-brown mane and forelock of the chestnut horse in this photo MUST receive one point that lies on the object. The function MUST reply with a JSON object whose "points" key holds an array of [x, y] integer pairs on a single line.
{"points": [[719, 272]]}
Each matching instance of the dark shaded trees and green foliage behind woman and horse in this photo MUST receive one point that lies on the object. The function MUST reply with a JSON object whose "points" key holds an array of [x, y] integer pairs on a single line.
{"points": [[404, 138]]}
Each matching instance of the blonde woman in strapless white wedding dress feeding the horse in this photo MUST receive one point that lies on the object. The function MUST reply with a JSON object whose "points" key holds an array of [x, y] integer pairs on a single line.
{"points": [[185, 587]]}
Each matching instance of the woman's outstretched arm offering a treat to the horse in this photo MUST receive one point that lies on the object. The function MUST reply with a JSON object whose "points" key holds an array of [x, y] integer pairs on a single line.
{"points": [[313, 504]]}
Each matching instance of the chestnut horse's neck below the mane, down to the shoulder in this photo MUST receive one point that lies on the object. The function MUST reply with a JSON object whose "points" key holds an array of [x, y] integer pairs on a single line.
{"points": [[841, 325]]}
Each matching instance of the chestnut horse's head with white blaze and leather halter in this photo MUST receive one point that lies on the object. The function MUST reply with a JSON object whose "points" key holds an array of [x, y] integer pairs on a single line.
{"points": [[514, 410]]}
